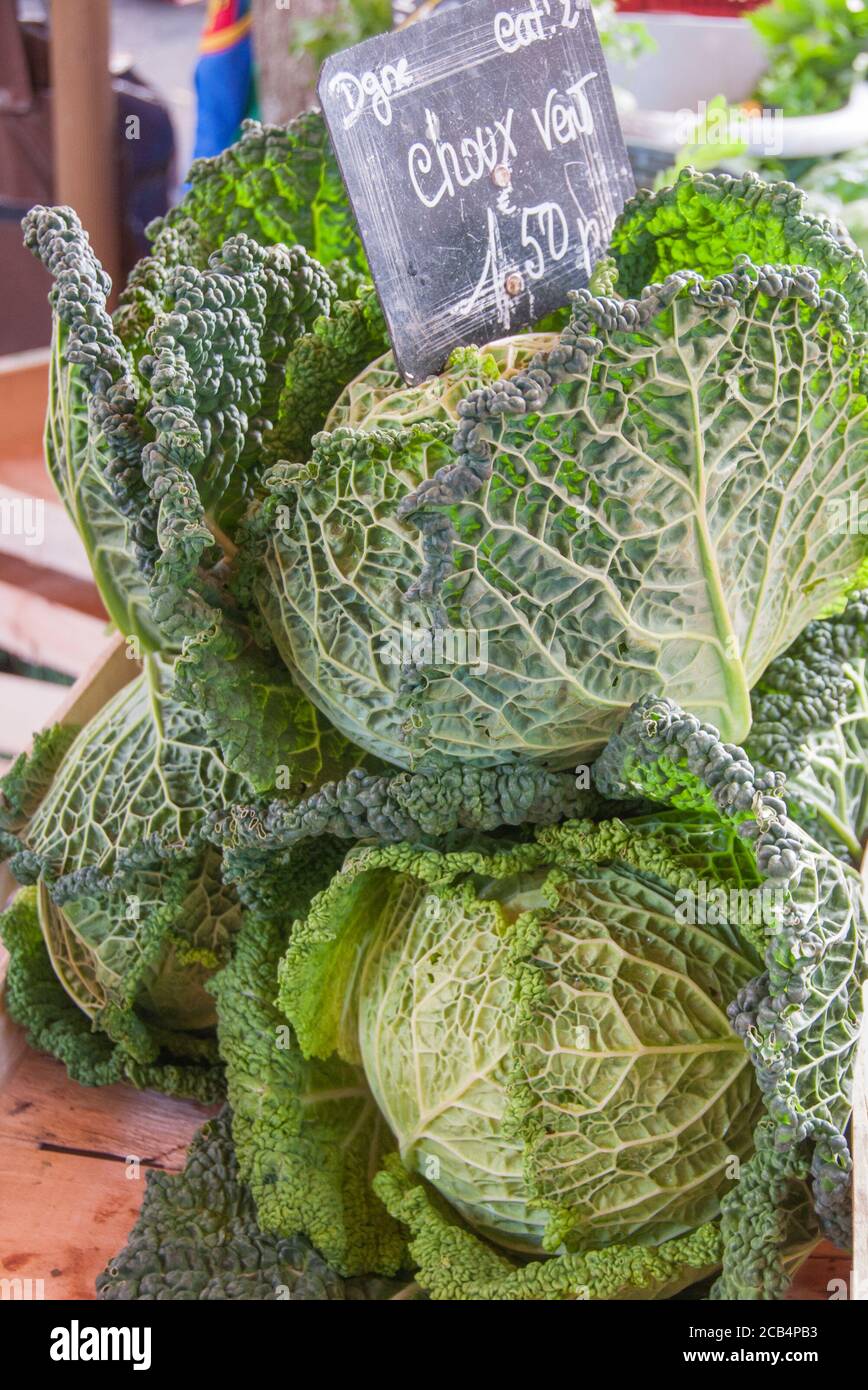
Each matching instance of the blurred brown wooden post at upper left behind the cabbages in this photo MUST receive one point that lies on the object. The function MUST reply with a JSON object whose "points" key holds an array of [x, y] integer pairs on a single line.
{"points": [[84, 124]]}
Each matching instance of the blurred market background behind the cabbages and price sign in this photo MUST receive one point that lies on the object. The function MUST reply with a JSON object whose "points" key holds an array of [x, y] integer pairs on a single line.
{"points": [[104, 105]]}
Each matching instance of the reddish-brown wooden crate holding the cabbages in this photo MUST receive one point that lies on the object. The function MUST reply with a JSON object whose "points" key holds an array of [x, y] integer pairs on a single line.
{"points": [[67, 1200]]}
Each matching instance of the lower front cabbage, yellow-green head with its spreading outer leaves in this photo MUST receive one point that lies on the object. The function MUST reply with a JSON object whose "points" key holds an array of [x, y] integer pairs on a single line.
{"points": [[613, 1058]]}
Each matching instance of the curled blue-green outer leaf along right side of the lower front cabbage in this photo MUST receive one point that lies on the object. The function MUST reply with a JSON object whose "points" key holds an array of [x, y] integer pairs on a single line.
{"points": [[801, 1018]]}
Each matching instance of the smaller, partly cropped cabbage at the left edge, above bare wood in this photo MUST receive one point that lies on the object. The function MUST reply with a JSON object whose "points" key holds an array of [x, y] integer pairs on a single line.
{"points": [[127, 919]]}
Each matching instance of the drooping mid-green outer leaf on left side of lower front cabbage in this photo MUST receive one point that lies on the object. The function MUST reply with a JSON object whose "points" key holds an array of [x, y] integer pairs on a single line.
{"points": [[308, 1135]]}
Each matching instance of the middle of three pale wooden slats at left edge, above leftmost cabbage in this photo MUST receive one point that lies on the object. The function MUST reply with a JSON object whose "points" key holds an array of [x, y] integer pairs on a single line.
{"points": [[45, 635]]}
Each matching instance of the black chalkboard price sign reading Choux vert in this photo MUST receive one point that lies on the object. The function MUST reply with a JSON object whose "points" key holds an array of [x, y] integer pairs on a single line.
{"points": [[486, 167]]}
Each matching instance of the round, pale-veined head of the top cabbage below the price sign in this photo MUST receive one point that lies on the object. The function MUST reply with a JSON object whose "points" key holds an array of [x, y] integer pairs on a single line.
{"points": [[646, 508]]}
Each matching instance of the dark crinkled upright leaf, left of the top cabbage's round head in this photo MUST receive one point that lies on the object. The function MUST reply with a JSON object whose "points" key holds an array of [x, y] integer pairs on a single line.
{"points": [[215, 373]]}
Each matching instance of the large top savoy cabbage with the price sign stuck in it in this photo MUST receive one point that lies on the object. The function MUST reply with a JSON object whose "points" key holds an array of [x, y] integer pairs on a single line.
{"points": [[641, 504]]}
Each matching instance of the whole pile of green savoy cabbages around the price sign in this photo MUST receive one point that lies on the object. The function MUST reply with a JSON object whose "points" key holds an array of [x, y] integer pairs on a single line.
{"points": [[529, 981]]}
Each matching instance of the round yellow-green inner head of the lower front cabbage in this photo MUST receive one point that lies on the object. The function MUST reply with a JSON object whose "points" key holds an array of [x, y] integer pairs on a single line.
{"points": [[547, 1040]]}
